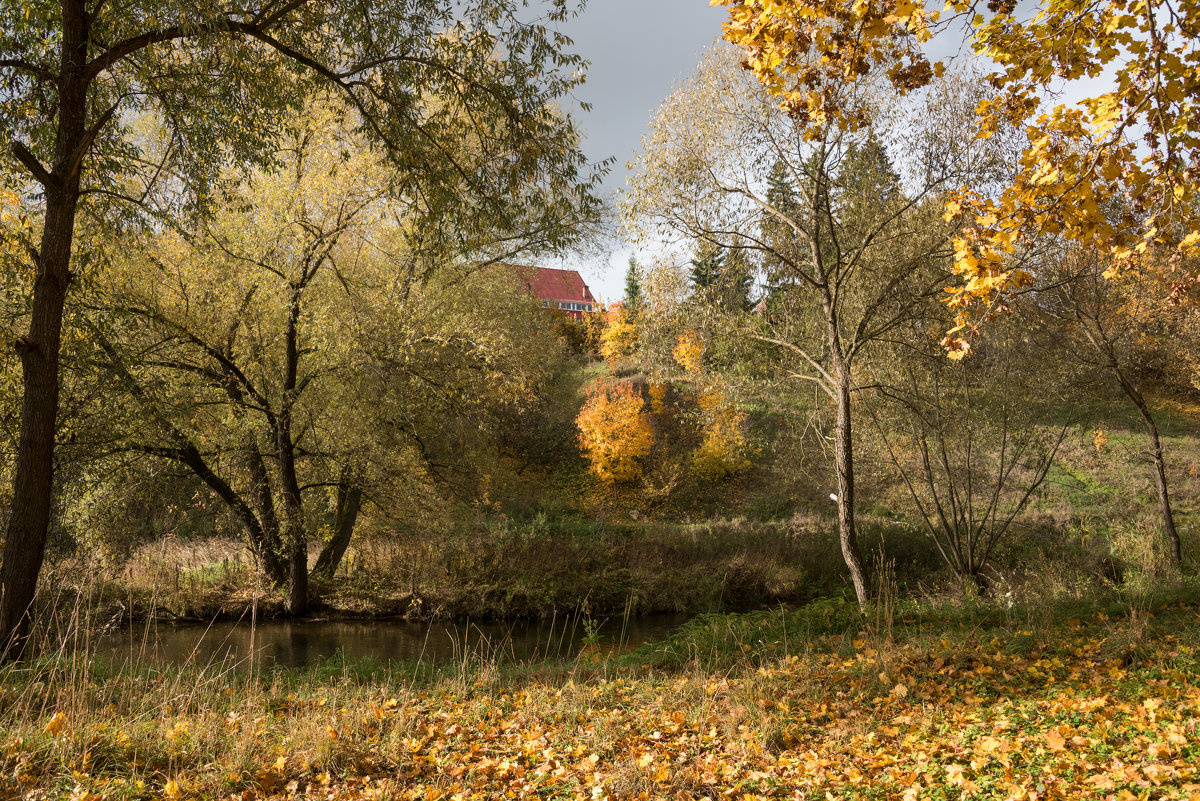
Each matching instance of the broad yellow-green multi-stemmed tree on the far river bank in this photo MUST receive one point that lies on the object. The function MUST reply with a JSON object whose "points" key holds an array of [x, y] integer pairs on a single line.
{"points": [[286, 345]]}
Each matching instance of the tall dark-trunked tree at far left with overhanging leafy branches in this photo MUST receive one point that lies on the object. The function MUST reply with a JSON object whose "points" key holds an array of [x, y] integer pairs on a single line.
{"points": [[225, 79]]}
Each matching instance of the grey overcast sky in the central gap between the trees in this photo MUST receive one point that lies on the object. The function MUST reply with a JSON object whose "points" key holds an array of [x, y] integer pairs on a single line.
{"points": [[639, 50]]}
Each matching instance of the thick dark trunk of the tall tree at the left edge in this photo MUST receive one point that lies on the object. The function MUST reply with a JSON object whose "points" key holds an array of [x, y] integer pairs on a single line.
{"points": [[33, 483]]}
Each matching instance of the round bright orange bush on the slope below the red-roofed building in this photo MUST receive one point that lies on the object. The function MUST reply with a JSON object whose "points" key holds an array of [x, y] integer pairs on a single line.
{"points": [[615, 431]]}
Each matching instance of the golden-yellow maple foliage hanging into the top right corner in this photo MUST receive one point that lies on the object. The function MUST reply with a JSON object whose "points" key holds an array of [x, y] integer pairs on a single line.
{"points": [[1136, 141]]}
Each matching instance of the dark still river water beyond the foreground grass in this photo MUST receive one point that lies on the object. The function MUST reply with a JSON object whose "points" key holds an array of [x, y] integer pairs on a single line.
{"points": [[303, 643]]}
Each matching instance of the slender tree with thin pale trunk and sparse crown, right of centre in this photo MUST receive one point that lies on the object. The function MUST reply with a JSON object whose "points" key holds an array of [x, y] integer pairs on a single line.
{"points": [[865, 250]]}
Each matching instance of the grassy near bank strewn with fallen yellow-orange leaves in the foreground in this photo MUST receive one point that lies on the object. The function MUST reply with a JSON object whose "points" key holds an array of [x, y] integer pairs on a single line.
{"points": [[1083, 710]]}
